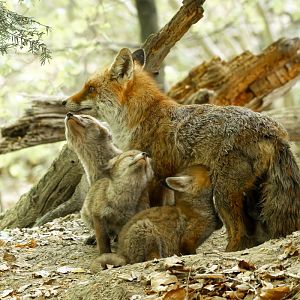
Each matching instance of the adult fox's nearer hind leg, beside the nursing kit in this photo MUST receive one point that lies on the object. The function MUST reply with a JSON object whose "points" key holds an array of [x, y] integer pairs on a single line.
{"points": [[231, 181]]}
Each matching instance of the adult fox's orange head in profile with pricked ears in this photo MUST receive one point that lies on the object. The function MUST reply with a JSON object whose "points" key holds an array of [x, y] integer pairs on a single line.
{"points": [[105, 93]]}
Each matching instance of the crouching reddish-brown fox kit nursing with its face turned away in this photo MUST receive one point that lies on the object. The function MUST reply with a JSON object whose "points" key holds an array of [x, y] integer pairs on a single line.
{"points": [[167, 230]]}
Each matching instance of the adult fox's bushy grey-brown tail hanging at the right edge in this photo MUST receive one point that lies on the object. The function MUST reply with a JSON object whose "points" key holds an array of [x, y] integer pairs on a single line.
{"points": [[281, 194]]}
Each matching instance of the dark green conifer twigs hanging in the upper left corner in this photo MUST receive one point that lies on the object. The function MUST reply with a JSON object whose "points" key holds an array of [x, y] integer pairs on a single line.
{"points": [[20, 32]]}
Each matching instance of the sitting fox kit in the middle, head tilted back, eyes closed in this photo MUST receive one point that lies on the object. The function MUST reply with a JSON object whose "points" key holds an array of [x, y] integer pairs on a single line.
{"points": [[113, 200]]}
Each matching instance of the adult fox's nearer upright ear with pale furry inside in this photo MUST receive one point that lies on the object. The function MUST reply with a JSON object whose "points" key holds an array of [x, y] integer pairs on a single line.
{"points": [[122, 67]]}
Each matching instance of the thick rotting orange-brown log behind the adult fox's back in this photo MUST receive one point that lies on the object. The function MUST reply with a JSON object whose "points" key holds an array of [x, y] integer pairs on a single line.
{"points": [[246, 80]]}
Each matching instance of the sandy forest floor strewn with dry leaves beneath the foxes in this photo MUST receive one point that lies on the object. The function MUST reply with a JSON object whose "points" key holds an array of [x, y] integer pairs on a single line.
{"points": [[52, 262]]}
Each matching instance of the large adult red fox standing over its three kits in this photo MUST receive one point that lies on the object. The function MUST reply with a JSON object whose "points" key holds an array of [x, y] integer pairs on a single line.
{"points": [[243, 150]]}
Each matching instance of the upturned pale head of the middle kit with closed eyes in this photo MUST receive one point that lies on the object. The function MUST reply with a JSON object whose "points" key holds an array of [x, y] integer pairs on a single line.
{"points": [[132, 167]]}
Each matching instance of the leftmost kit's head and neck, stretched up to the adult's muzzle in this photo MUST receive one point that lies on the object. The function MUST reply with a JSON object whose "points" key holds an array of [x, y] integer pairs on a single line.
{"points": [[92, 141]]}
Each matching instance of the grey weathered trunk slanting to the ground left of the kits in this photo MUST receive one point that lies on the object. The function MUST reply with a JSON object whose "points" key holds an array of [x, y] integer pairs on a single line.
{"points": [[54, 188]]}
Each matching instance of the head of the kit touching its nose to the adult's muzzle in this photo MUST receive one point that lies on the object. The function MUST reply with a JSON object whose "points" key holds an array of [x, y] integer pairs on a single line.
{"points": [[84, 130]]}
